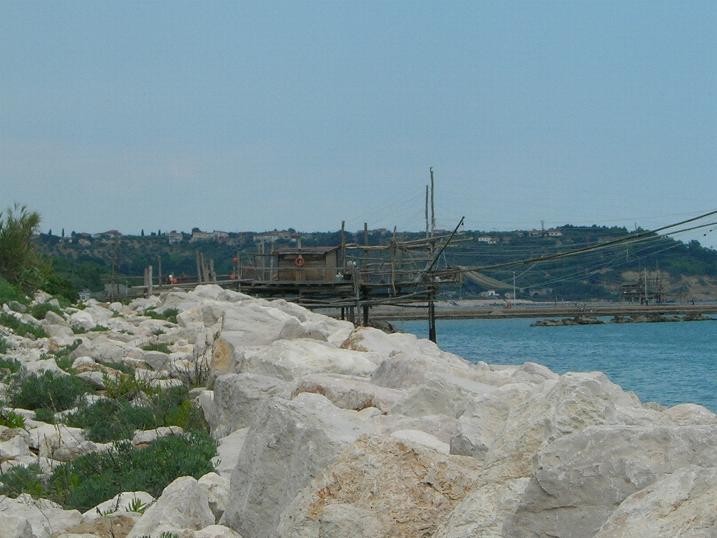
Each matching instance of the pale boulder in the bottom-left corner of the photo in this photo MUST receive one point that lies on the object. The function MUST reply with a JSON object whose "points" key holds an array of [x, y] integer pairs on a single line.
{"points": [[41, 517]]}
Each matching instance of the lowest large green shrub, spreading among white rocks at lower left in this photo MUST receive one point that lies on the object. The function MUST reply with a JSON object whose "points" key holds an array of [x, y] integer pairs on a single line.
{"points": [[98, 476]]}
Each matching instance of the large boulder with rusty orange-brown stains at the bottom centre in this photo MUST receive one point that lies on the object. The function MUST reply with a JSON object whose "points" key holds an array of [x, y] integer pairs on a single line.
{"points": [[380, 487]]}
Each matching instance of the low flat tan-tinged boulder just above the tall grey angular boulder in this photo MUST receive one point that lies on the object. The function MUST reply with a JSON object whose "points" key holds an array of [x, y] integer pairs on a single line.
{"points": [[349, 392]]}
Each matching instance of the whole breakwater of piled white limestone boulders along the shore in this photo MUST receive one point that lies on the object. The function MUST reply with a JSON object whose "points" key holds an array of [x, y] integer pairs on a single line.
{"points": [[323, 429]]}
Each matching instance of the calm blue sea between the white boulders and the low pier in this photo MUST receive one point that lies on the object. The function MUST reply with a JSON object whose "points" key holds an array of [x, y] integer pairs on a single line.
{"points": [[668, 363]]}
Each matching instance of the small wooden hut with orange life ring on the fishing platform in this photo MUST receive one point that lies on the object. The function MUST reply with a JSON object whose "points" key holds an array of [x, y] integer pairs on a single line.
{"points": [[308, 264]]}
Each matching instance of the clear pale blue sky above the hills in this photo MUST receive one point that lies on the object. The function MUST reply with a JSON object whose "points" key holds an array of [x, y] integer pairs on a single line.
{"points": [[232, 115]]}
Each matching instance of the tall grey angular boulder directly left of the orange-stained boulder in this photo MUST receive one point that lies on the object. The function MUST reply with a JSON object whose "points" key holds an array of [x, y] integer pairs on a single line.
{"points": [[288, 443]]}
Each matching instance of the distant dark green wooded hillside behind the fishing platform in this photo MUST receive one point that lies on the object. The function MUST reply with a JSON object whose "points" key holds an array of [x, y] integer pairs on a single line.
{"points": [[681, 271]]}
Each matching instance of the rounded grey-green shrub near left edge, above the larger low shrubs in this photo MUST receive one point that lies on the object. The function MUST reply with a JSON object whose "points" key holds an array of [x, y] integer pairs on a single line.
{"points": [[48, 390]]}
